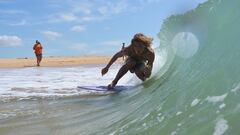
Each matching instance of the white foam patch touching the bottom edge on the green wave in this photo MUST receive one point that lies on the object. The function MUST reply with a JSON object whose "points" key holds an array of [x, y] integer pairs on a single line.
{"points": [[220, 127]]}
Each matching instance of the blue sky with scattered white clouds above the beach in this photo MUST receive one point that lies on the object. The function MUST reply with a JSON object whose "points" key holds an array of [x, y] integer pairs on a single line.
{"points": [[81, 27]]}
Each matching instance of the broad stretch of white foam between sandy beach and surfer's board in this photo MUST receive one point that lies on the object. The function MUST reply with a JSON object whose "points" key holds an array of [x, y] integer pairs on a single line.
{"points": [[48, 81]]}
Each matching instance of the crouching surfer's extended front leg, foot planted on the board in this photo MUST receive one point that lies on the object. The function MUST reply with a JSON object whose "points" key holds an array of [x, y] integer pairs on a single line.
{"points": [[122, 71]]}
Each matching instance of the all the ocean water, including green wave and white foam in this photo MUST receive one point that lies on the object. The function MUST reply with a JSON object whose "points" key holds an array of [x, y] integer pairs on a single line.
{"points": [[194, 88]]}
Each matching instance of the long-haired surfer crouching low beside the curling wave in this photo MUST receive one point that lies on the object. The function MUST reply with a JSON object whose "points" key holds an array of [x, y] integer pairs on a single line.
{"points": [[140, 58]]}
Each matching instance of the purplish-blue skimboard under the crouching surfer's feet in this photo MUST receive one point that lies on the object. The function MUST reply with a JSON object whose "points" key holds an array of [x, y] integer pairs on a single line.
{"points": [[105, 88]]}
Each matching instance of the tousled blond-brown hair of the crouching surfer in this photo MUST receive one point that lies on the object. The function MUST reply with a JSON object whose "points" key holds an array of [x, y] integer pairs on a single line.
{"points": [[140, 38]]}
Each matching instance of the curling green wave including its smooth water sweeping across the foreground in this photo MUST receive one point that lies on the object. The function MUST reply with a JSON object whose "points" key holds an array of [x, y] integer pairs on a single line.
{"points": [[194, 89]]}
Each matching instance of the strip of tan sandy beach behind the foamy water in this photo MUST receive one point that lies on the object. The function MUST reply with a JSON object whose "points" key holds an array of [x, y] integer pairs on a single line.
{"points": [[53, 61]]}
